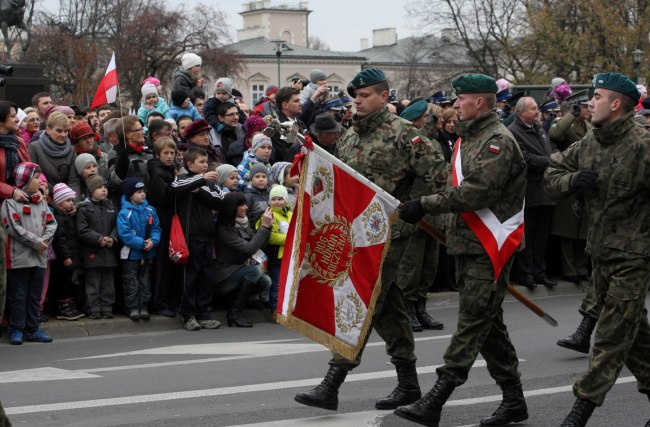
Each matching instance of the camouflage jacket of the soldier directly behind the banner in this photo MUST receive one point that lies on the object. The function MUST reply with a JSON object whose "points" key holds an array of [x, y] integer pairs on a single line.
{"points": [[392, 153]]}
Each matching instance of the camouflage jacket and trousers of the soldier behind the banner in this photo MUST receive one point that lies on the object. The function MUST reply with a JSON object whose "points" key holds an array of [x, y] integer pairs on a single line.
{"points": [[390, 152]]}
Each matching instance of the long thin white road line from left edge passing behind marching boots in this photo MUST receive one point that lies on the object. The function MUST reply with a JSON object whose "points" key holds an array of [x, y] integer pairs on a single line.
{"points": [[222, 391]]}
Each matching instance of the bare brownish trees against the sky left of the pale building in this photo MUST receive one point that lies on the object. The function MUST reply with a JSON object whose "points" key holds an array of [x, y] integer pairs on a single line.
{"points": [[74, 45]]}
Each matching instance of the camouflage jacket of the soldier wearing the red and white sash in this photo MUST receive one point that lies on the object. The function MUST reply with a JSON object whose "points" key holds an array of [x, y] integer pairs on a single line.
{"points": [[494, 173]]}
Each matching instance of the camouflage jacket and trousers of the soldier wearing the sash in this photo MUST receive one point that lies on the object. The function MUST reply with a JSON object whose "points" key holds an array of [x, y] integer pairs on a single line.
{"points": [[494, 177]]}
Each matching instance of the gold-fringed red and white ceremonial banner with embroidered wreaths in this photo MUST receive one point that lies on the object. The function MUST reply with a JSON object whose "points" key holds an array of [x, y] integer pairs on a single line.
{"points": [[335, 247]]}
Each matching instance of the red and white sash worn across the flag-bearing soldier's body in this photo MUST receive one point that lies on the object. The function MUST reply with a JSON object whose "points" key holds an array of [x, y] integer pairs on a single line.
{"points": [[500, 240]]}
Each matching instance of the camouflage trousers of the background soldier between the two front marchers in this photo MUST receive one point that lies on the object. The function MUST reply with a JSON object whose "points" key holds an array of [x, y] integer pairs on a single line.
{"points": [[418, 267]]}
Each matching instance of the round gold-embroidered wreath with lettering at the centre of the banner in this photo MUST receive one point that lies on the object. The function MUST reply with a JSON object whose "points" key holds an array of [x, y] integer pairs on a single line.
{"points": [[329, 251]]}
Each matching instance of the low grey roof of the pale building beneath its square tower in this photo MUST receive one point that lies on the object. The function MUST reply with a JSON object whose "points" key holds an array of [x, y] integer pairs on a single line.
{"points": [[261, 47]]}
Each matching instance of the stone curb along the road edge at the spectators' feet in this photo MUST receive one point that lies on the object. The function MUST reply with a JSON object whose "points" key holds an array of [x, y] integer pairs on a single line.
{"points": [[121, 324]]}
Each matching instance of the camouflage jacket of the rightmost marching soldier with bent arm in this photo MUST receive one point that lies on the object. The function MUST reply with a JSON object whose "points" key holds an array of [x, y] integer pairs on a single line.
{"points": [[619, 208]]}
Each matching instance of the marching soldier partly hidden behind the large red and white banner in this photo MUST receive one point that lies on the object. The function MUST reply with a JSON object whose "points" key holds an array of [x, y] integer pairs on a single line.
{"points": [[390, 152]]}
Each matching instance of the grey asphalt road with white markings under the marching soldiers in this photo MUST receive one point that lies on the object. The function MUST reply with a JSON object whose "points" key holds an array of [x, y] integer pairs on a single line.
{"points": [[240, 377]]}
